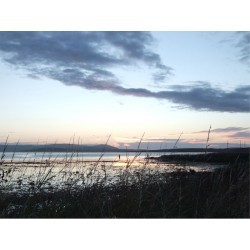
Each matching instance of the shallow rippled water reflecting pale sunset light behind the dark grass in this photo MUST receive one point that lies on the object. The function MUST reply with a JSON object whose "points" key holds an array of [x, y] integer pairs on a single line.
{"points": [[50, 171]]}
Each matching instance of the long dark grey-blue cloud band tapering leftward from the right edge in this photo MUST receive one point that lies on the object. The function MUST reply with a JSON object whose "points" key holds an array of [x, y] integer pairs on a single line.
{"points": [[198, 97]]}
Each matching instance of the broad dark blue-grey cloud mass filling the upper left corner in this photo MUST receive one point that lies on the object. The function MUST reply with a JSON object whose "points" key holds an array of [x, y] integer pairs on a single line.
{"points": [[88, 54]]}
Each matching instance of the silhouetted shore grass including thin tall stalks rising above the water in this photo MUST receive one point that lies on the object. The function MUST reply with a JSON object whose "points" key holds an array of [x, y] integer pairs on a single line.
{"points": [[85, 190]]}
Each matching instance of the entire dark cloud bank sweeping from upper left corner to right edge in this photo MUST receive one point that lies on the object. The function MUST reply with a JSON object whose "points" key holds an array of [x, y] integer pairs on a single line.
{"points": [[87, 59]]}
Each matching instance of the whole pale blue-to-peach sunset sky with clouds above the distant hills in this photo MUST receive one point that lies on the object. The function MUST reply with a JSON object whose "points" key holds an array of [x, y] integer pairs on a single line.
{"points": [[158, 86]]}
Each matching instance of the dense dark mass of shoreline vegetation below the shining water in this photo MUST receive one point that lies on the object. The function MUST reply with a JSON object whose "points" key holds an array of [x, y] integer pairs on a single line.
{"points": [[223, 193]]}
